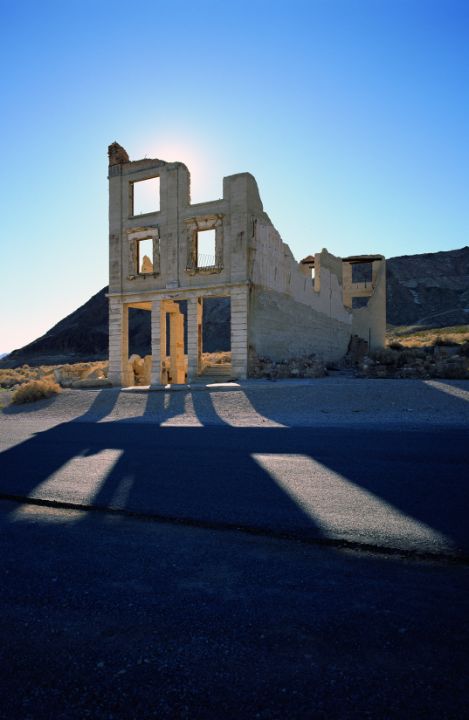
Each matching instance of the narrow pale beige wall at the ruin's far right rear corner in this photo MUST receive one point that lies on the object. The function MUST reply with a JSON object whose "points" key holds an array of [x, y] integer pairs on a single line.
{"points": [[369, 322]]}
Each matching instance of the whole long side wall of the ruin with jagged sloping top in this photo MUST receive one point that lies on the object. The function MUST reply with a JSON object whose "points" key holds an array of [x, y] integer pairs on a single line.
{"points": [[290, 315]]}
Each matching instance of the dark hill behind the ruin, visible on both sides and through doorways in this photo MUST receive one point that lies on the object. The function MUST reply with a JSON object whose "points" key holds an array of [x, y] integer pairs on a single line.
{"points": [[429, 290]]}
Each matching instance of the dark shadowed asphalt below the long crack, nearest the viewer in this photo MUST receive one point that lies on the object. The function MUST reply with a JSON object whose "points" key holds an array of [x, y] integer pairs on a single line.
{"points": [[111, 618]]}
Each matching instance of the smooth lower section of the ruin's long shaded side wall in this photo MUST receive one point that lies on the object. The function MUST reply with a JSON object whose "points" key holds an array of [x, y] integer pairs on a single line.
{"points": [[281, 328]]}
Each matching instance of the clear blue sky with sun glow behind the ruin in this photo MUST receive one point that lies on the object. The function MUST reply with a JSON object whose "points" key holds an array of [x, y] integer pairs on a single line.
{"points": [[352, 115]]}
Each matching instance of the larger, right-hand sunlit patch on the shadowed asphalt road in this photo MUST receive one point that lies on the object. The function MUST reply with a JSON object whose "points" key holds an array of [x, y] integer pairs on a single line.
{"points": [[332, 503]]}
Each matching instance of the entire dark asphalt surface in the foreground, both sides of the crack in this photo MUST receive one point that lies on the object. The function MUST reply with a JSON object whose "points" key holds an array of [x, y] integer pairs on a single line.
{"points": [[232, 572]]}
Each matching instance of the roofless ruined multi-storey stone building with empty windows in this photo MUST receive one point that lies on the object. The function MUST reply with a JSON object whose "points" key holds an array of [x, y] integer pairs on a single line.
{"points": [[173, 251]]}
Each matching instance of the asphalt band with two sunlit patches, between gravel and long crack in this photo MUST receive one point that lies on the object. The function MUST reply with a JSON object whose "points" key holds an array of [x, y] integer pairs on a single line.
{"points": [[379, 487]]}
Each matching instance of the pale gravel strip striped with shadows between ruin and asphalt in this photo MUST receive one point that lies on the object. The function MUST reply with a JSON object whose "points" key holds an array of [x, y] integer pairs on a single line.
{"points": [[328, 401]]}
